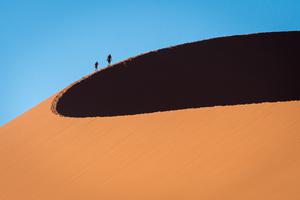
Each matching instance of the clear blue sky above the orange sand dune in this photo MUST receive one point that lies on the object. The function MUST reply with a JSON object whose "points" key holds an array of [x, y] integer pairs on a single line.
{"points": [[47, 44]]}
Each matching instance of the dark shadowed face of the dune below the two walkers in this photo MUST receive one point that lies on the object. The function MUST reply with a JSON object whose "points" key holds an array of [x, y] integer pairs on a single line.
{"points": [[224, 71]]}
